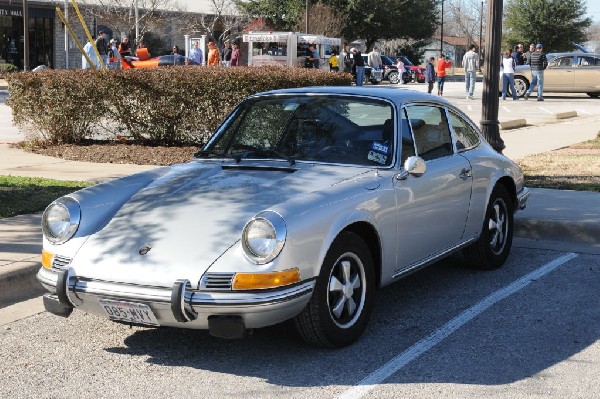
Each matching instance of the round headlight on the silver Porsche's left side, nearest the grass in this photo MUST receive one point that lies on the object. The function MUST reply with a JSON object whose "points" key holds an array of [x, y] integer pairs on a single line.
{"points": [[61, 220]]}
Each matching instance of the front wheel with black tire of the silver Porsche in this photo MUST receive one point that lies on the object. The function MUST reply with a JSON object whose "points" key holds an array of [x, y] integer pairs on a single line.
{"points": [[341, 304]]}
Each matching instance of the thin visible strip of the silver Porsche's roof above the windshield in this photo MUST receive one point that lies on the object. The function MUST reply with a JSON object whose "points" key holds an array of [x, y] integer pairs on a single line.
{"points": [[384, 92]]}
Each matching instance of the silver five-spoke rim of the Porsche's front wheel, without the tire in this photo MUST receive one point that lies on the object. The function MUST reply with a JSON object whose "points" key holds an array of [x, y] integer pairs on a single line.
{"points": [[346, 290]]}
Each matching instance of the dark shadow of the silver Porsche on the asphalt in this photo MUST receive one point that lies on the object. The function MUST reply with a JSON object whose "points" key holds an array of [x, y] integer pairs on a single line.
{"points": [[511, 341]]}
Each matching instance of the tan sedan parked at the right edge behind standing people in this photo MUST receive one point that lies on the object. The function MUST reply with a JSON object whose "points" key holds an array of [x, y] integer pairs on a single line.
{"points": [[566, 73]]}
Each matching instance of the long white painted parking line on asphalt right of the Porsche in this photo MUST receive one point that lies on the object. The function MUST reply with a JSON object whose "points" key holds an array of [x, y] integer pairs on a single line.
{"points": [[370, 382]]}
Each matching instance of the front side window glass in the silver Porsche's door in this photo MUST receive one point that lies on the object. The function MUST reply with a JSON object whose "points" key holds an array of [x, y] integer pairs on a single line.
{"points": [[430, 130]]}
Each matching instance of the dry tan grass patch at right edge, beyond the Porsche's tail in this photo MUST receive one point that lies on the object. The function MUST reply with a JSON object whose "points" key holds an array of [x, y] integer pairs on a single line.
{"points": [[574, 168]]}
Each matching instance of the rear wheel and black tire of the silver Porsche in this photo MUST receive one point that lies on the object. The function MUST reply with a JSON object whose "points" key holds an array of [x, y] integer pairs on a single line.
{"points": [[493, 246]]}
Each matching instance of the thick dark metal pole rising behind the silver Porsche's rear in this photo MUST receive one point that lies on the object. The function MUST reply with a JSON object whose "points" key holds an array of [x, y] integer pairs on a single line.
{"points": [[490, 126]]}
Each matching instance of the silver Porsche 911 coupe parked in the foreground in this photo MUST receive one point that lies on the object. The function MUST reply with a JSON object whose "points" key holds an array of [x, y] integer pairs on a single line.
{"points": [[302, 205]]}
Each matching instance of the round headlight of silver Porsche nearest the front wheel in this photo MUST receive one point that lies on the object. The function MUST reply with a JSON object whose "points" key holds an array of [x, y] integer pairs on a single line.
{"points": [[263, 237]]}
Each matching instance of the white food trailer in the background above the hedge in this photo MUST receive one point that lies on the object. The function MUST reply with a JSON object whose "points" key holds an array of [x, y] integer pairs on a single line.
{"points": [[288, 48]]}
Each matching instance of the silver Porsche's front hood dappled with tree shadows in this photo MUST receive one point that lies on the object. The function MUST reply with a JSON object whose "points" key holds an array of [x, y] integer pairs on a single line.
{"points": [[185, 219]]}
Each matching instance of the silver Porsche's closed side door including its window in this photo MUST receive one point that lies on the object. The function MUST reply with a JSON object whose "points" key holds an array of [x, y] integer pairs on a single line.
{"points": [[432, 209]]}
